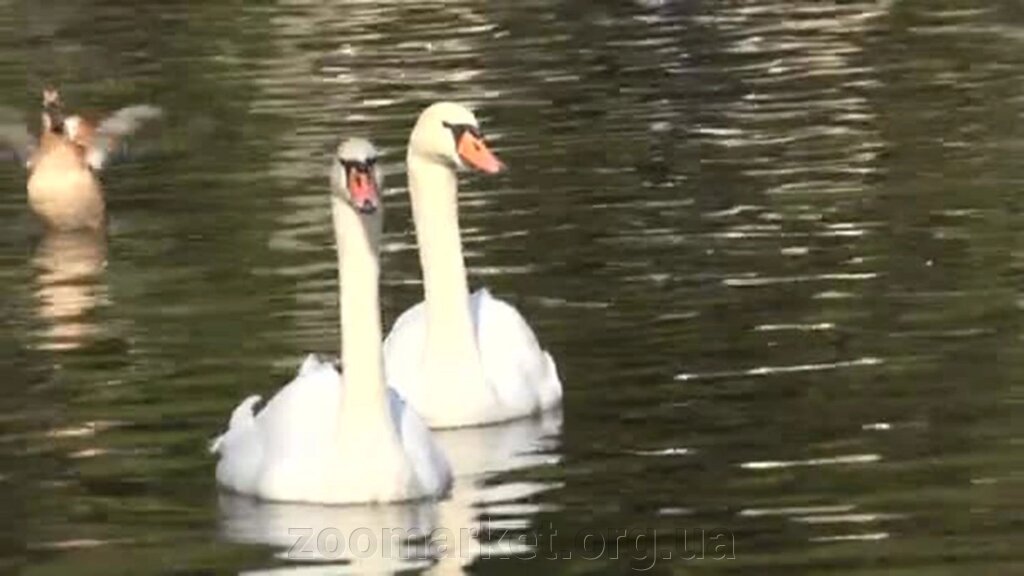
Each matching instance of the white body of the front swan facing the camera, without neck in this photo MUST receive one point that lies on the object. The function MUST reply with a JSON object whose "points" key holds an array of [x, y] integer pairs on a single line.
{"points": [[309, 445]]}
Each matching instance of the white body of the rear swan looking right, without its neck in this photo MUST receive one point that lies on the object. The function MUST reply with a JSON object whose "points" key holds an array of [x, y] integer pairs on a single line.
{"points": [[515, 379]]}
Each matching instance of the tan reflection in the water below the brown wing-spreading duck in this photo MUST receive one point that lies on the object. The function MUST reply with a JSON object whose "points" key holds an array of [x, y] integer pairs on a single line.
{"points": [[70, 284]]}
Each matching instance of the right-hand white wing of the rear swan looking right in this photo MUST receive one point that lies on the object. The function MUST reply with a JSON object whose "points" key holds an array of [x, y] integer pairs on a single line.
{"points": [[524, 375]]}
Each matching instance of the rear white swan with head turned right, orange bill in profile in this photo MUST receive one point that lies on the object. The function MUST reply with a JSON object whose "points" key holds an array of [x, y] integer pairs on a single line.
{"points": [[461, 360]]}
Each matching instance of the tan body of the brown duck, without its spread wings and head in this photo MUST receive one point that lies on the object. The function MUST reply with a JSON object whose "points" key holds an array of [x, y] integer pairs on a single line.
{"points": [[63, 190]]}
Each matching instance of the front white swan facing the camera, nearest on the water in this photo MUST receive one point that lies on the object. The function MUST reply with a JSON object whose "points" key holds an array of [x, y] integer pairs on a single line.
{"points": [[328, 441]]}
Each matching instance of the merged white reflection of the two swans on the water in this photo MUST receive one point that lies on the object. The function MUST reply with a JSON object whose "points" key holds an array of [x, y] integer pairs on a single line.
{"points": [[417, 536]]}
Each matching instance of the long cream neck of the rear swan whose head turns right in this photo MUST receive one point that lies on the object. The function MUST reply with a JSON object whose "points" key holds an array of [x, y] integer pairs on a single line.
{"points": [[434, 190]]}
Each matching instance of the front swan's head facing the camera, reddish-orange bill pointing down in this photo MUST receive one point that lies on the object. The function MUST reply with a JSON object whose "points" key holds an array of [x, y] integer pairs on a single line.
{"points": [[356, 178]]}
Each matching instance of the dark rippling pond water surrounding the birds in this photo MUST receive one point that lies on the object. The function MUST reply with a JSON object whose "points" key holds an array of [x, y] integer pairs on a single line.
{"points": [[777, 250]]}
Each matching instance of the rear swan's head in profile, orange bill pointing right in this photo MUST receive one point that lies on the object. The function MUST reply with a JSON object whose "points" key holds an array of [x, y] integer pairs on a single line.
{"points": [[449, 134]]}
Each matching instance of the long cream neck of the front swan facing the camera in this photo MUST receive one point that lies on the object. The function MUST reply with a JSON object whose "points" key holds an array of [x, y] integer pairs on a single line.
{"points": [[359, 273]]}
